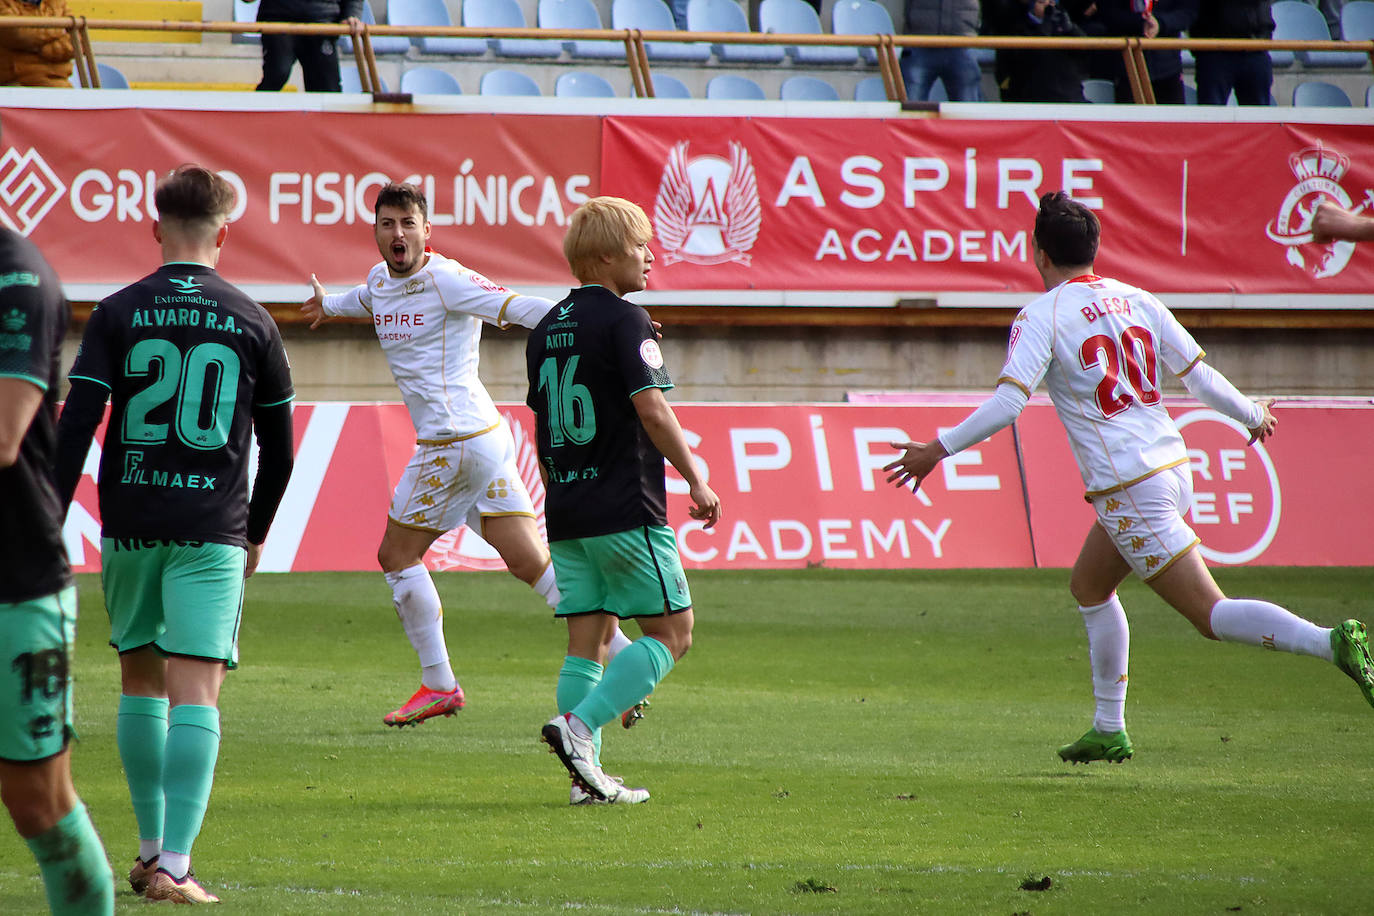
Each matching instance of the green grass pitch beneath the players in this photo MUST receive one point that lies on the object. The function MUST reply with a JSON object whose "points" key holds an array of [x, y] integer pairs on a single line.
{"points": [[836, 744]]}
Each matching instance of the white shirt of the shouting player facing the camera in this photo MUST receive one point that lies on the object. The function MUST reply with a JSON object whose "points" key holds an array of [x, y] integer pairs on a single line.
{"points": [[431, 326]]}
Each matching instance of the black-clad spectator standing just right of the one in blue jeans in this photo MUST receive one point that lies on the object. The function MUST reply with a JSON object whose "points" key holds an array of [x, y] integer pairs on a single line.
{"points": [[1035, 76]]}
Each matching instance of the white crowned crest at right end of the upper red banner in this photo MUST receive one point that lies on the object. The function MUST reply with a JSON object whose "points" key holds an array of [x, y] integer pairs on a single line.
{"points": [[1318, 172]]}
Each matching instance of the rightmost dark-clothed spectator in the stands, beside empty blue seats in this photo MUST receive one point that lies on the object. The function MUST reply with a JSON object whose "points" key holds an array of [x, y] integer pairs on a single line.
{"points": [[1248, 73]]}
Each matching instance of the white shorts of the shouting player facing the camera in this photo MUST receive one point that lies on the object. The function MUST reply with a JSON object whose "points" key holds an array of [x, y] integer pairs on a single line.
{"points": [[458, 483]]}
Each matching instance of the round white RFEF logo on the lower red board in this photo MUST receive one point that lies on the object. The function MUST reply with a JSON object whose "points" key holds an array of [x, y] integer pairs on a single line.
{"points": [[1237, 503]]}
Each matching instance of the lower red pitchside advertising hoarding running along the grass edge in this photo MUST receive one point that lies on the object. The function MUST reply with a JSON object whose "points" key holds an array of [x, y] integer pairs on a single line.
{"points": [[803, 485]]}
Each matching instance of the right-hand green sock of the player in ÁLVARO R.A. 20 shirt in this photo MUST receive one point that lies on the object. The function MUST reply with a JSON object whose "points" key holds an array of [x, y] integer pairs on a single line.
{"points": [[189, 772]]}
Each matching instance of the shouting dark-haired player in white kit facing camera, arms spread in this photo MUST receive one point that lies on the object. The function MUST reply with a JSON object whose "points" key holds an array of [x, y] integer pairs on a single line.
{"points": [[429, 312]]}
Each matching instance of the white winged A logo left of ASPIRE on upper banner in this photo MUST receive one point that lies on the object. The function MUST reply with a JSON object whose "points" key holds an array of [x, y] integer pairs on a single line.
{"points": [[708, 211]]}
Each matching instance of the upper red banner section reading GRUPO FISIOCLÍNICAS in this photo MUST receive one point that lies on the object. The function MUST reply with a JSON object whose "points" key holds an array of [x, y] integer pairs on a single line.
{"points": [[80, 185]]}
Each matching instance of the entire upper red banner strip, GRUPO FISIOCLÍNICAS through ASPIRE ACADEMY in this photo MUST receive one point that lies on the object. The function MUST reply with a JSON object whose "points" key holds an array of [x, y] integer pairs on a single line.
{"points": [[739, 204]]}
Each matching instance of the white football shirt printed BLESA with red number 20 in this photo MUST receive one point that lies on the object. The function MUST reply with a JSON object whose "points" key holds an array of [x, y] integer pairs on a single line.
{"points": [[1101, 348]]}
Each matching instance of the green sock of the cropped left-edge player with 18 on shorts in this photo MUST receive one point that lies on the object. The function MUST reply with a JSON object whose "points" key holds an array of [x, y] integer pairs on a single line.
{"points": [[75, 871]]}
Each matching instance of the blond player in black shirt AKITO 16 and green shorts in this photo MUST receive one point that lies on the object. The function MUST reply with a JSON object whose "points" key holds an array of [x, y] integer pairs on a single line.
{"points": [[597, 384]]}
